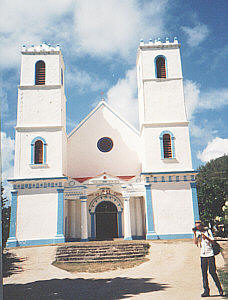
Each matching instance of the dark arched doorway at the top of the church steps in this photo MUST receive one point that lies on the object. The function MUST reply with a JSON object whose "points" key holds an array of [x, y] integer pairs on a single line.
{"points": [[106, 220]]}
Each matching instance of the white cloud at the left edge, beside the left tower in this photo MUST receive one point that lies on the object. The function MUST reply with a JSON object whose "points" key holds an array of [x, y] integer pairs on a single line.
{"points": [[7, 159]]}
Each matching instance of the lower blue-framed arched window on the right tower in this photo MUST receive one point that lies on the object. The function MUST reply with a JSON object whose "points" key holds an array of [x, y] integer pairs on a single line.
{"points": [[167, 144]]}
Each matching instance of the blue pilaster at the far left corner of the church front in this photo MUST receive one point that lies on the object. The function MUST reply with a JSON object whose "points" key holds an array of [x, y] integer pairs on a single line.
{"points": [[12, 241]]}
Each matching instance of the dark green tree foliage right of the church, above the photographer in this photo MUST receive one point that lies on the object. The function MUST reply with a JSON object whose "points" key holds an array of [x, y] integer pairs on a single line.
{"points": [[212, 189]]}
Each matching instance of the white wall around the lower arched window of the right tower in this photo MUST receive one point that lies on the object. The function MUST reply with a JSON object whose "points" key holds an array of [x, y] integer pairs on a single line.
{"points": [[151, 159]]}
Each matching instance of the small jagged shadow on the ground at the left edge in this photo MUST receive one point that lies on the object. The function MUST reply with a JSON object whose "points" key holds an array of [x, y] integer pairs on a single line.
{"points": [[11, 264]]}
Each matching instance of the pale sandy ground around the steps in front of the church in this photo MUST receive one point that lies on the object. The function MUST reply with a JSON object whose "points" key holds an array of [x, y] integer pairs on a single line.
{"points": [[173, 273]]}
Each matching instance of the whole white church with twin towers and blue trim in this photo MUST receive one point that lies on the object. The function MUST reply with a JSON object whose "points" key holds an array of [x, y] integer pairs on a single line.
{"points": [[105, 179]]}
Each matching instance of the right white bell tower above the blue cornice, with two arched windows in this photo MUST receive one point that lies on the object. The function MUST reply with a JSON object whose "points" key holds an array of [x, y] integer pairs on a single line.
{"points": [[162, 116]]}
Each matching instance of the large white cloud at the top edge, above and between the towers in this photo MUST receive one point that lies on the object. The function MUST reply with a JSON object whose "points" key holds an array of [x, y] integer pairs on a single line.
{"points": [[115, 27]]}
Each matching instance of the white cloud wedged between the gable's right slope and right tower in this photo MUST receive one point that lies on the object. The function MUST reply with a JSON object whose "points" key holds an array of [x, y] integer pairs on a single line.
{"points": [[123, 96]]}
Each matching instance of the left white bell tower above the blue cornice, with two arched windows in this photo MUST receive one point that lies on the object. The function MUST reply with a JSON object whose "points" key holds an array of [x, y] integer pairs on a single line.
{"points": [[40, 139]]}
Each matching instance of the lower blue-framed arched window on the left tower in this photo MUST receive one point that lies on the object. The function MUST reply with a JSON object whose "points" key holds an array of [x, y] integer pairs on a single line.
{"points": [[38, 151]]}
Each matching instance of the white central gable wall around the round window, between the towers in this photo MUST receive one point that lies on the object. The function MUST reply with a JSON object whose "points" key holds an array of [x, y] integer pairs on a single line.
{"points": [[84, 157]]}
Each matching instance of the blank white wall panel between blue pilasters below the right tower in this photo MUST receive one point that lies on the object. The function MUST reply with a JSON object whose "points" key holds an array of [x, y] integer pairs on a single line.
{"points": [[173, 208]]}
